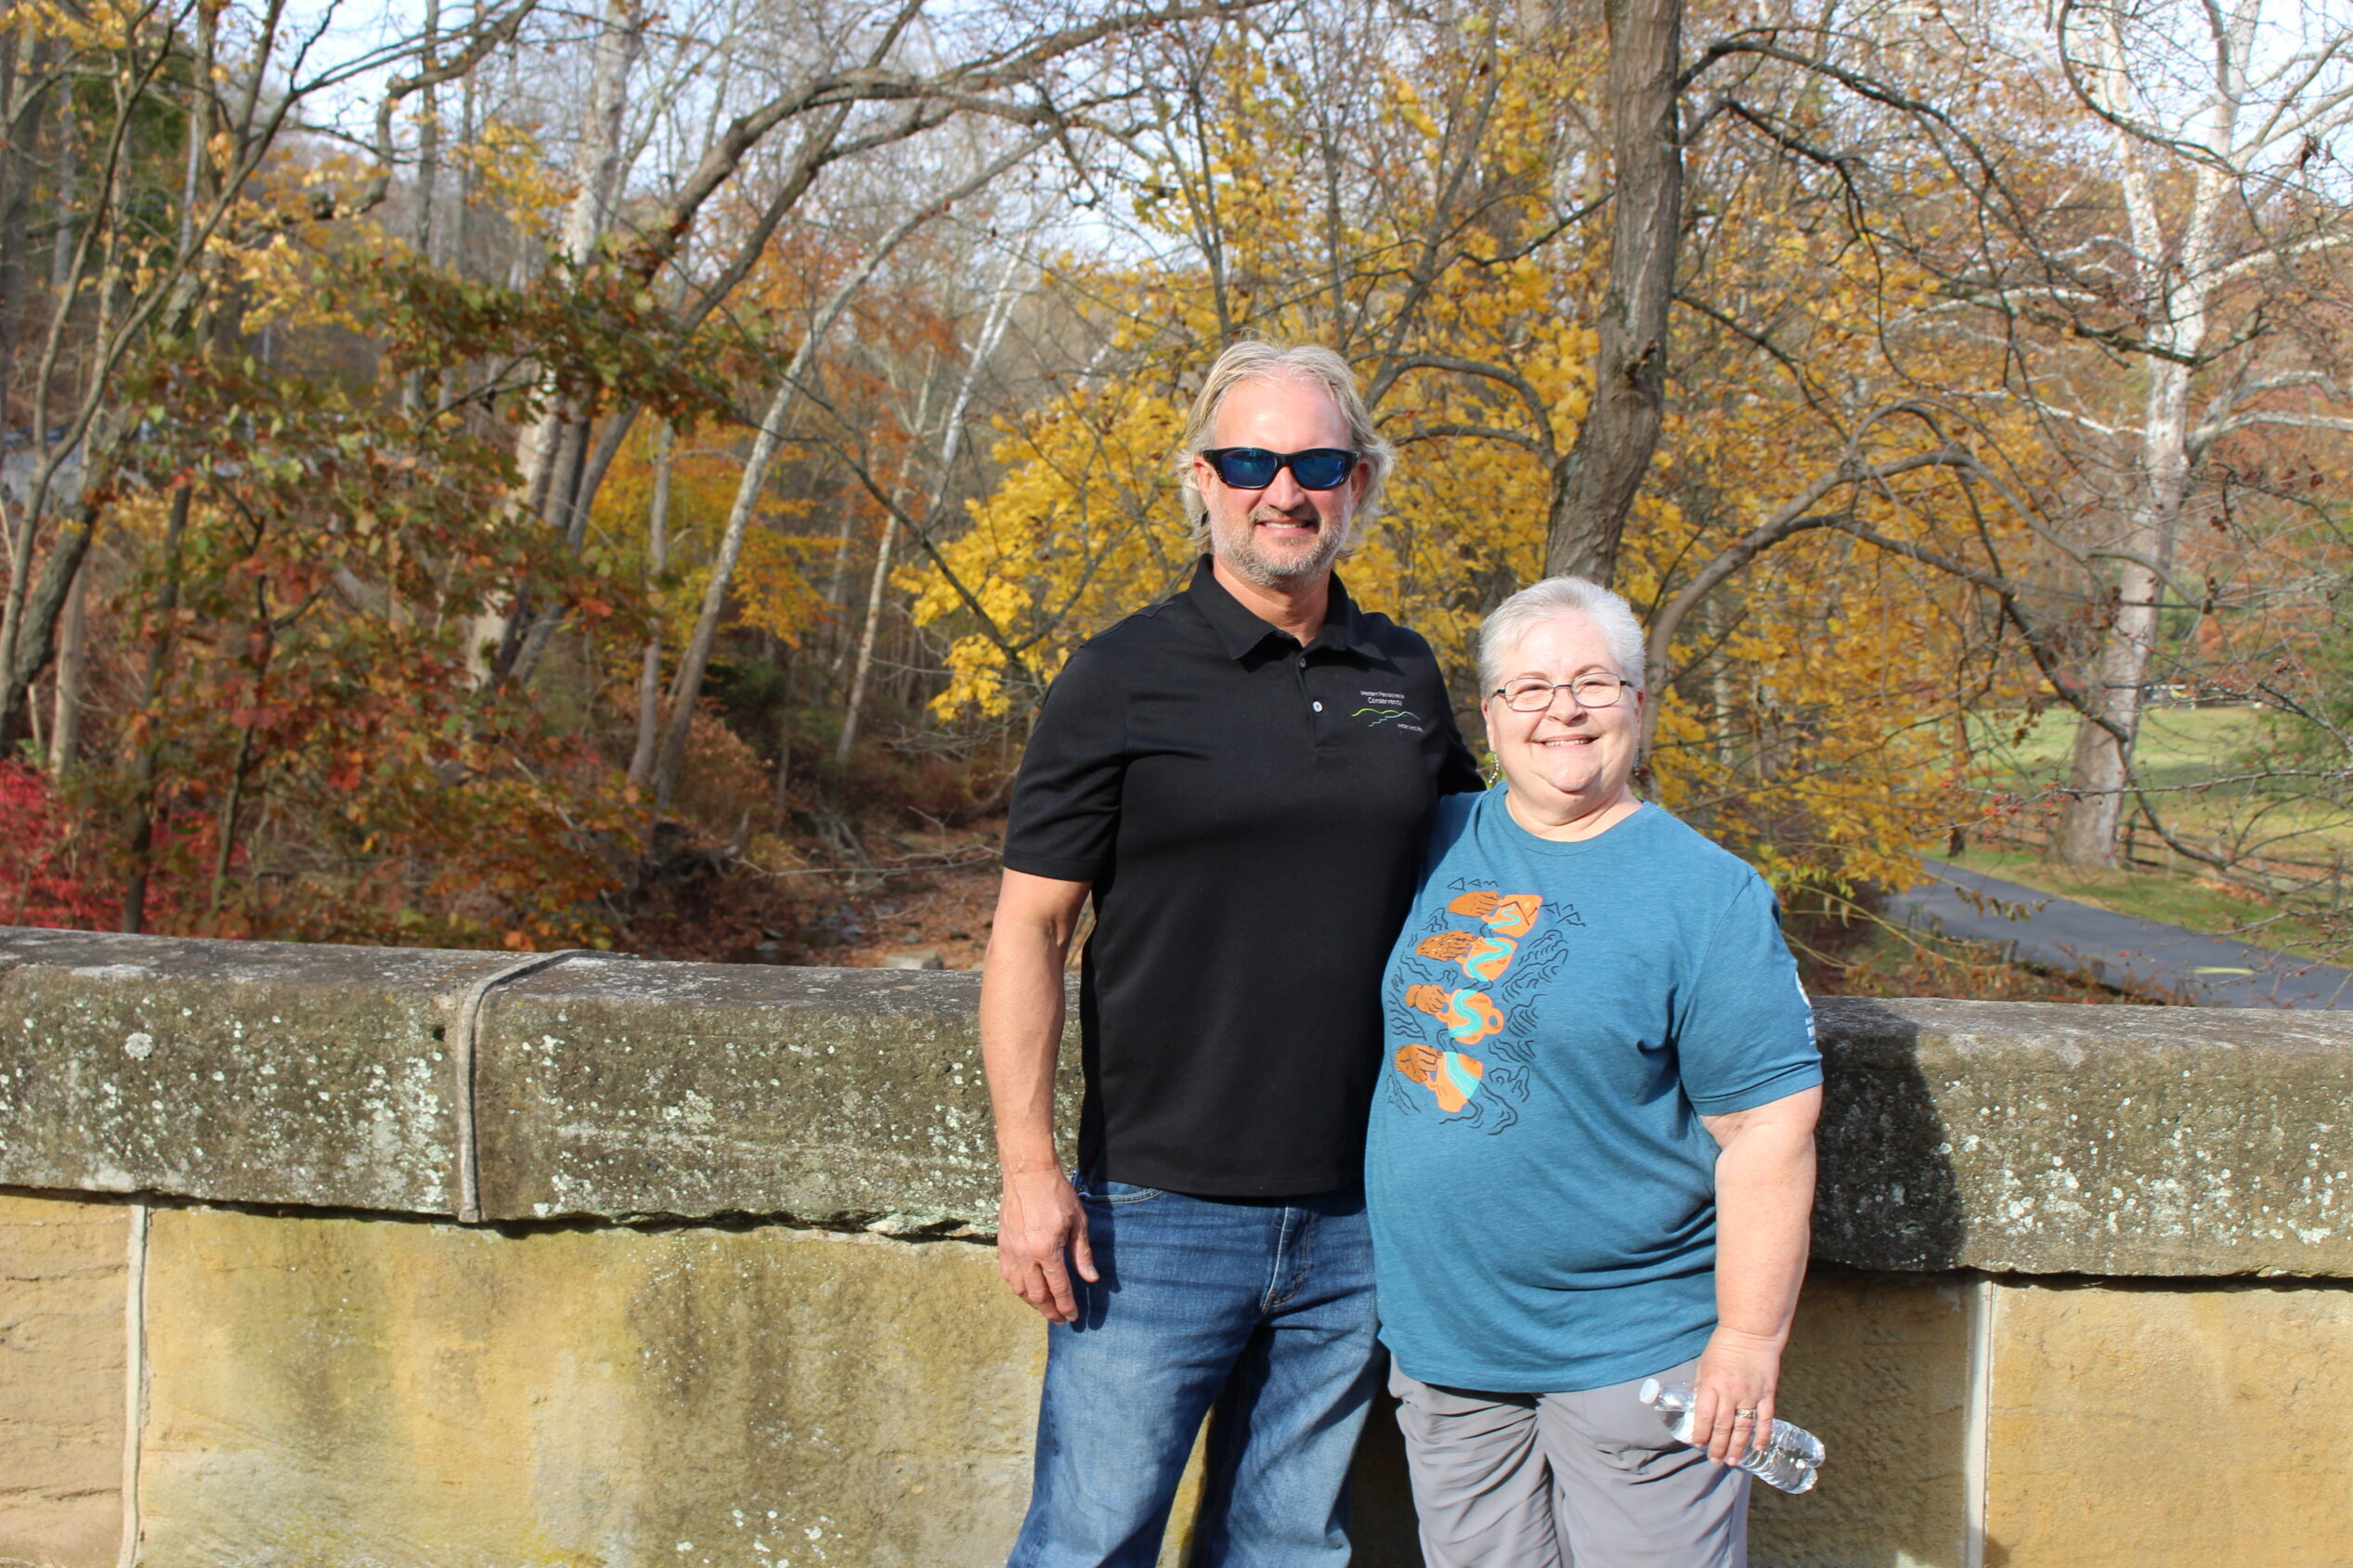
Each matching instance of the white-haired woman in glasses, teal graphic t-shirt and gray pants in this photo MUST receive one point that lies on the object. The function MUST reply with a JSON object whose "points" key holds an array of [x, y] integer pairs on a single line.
{"points": [[1592, 1153]]}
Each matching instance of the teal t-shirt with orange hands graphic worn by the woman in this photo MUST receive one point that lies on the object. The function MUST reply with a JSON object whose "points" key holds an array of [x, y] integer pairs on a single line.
{"points": [[1559, 1017]]}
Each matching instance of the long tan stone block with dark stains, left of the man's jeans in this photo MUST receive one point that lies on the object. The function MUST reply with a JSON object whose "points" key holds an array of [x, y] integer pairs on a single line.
{"points": [[340, 1391]]}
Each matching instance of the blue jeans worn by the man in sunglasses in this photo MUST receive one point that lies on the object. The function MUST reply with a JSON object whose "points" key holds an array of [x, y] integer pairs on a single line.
{"points": [[1260, 1308]]}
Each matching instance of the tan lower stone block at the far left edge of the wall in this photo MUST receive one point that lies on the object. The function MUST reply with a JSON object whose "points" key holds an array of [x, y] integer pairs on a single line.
{"points": [[62, 1334]]}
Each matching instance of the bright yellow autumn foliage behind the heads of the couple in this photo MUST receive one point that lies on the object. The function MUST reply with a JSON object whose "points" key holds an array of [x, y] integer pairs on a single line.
{"points": [[1811, 723]]}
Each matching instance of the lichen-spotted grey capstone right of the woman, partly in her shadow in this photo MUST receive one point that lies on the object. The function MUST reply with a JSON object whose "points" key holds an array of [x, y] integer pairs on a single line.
{"points": [[2048, 1139]]}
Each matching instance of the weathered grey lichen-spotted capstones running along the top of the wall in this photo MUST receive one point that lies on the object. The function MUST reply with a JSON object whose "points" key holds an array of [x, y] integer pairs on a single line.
{"points": [[1994, 1137]]}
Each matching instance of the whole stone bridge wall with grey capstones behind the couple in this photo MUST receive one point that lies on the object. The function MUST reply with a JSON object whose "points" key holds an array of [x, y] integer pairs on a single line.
{"points": [[387, 1257]]}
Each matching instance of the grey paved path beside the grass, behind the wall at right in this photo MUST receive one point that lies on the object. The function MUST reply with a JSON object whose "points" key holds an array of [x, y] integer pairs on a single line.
{"points": [[2114, 949]]}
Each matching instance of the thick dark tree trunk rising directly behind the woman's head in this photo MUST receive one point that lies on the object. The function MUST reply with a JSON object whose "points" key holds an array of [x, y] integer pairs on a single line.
{"points": [[1604, 469]]}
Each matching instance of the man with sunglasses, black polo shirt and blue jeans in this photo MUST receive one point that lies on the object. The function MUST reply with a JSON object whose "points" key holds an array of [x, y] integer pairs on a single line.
{"points": [[1241, 779]]}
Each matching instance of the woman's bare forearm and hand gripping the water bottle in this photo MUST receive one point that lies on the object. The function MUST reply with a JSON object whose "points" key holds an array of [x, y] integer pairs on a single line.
{"points": [[1764, 1214]]}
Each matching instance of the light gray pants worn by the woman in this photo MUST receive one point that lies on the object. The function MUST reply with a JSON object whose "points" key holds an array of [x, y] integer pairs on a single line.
{"points": [[1557, 1480]]}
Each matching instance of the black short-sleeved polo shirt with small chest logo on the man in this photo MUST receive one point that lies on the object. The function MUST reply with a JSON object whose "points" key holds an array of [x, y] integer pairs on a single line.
{"points": [[1251, 817]]}
